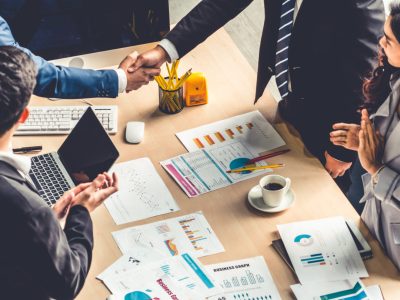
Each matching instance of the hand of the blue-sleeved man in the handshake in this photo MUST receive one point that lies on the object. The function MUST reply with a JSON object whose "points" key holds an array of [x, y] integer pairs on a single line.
{"points": [[141, 76]]}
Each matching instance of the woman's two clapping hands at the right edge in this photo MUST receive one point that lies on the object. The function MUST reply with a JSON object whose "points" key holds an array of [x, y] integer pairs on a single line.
{"points": [[361, 138]]}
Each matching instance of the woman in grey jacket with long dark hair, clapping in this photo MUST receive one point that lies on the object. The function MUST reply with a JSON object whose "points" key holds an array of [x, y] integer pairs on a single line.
{"points": [[377, 141]]}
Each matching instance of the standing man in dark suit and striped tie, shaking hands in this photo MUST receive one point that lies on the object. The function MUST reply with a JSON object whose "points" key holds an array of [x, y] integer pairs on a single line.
{"points": [[318, 50]]}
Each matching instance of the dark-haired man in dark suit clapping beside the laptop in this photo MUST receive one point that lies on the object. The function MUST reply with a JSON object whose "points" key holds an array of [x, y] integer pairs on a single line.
{"points": [[45, 252]]}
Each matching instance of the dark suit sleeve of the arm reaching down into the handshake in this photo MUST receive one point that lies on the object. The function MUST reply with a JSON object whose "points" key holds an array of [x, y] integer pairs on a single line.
{"points": [[202, 21]]}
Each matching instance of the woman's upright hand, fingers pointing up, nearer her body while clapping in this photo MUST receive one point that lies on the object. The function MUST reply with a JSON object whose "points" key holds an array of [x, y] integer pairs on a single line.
{"points": [[370, 151]]}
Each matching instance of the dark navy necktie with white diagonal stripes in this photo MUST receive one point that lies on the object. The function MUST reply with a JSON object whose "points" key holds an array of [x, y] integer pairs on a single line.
{"points": [[282, 47]]}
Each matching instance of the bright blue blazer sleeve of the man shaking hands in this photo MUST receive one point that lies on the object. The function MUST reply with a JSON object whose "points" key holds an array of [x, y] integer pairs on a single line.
{"points": [[64, 82]]}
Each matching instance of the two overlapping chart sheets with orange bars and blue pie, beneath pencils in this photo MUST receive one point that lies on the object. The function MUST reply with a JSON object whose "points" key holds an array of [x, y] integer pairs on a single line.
{"points": [[218, 147]]}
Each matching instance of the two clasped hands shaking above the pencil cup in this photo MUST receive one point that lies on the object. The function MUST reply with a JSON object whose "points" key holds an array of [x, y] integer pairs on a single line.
{"points": [[140, 69]]}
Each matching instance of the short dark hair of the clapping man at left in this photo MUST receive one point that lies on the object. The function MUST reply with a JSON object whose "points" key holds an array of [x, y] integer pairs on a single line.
{"points": [[17, 80]]}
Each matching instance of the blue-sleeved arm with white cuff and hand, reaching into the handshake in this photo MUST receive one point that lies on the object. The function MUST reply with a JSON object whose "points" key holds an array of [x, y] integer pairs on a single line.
{"points": [[67, 83]]}
